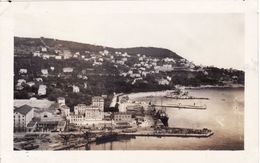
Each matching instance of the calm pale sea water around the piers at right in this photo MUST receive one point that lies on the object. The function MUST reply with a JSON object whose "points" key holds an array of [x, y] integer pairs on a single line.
{"points": [[224, 115]]}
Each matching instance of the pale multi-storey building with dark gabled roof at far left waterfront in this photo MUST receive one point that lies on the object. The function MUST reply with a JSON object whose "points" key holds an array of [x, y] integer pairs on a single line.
{"points": [[22, 117]]}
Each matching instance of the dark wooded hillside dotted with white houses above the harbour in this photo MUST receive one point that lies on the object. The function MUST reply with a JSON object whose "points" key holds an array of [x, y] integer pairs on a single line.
{"points": [[79, 71]]}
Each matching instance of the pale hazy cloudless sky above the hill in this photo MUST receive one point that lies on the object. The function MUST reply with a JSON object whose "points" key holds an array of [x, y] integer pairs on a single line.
{"points": [[204, 38]]}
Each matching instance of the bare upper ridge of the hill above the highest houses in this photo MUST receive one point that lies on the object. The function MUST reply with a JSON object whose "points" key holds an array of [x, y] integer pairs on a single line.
{"points": [[52, 44]]}
